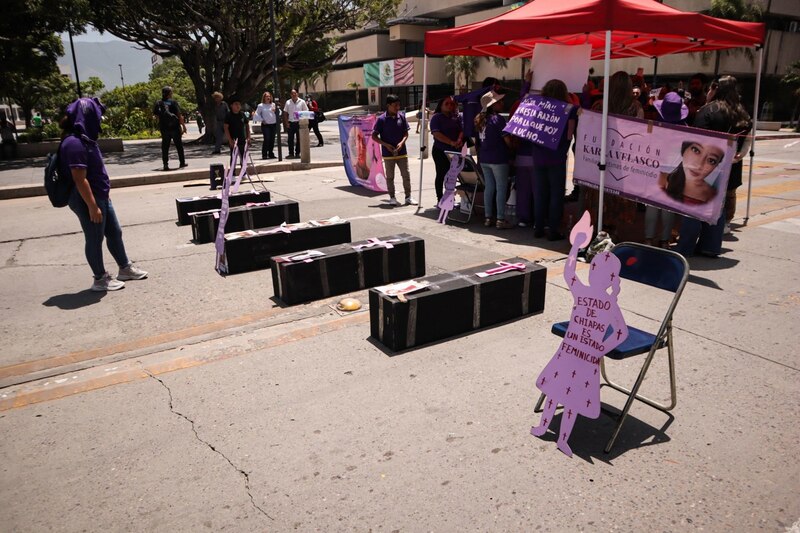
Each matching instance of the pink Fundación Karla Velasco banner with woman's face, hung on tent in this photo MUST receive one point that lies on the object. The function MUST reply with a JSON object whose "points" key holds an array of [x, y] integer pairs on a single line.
{"points": [[678, 168]]}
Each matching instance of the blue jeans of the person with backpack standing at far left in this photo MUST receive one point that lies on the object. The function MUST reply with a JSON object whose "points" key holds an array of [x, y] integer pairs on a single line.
{"points": [[108, 228]]}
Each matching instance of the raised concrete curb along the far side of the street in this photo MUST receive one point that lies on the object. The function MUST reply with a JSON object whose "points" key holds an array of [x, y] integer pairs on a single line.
{"points": [[28, 191]]}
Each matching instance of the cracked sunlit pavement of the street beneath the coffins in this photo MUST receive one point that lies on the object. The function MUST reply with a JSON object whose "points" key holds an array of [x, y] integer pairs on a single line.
{"points": [[189, 401]]}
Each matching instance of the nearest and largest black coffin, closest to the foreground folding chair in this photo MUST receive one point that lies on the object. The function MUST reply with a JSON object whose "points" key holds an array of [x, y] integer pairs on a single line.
{"points": [[456, 303]]}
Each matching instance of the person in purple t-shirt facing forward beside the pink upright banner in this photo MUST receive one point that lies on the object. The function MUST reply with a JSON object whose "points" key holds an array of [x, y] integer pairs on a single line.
{"points": [[391, 132]]}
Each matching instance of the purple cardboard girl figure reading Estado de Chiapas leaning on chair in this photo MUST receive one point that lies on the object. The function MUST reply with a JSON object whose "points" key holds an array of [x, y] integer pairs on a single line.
{"points": [[596, 327]]}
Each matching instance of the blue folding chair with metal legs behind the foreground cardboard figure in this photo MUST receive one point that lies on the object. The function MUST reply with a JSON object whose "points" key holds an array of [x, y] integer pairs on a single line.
{"points": [[662, 269]]}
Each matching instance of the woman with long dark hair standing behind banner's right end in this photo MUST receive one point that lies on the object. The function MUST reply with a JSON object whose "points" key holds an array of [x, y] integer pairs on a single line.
{"points": [[723, 112]]}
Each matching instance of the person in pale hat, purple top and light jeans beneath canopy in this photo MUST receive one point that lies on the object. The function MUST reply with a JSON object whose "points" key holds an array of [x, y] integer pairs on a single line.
{"points": [[493, 154]]}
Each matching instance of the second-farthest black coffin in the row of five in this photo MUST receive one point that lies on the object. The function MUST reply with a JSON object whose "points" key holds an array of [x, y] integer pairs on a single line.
{"points": [[248, 216]]}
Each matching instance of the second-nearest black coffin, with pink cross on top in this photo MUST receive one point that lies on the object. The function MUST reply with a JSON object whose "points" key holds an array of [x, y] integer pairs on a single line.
{"points": [[347, 267]]}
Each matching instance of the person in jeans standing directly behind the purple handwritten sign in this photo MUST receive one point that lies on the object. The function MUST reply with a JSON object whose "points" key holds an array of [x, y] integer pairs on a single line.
{"points": [[550, 170]]}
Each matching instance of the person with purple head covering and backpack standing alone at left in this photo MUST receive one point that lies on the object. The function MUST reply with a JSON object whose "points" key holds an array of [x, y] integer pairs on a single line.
{"points": [[80, 157]]}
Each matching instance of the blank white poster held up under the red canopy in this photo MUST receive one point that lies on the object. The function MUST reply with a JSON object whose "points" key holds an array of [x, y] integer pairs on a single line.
{"points": [[569, 64]]}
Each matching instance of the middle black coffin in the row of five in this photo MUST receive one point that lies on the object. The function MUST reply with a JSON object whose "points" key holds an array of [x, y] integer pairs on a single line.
{"points": [[252, 249]]}
